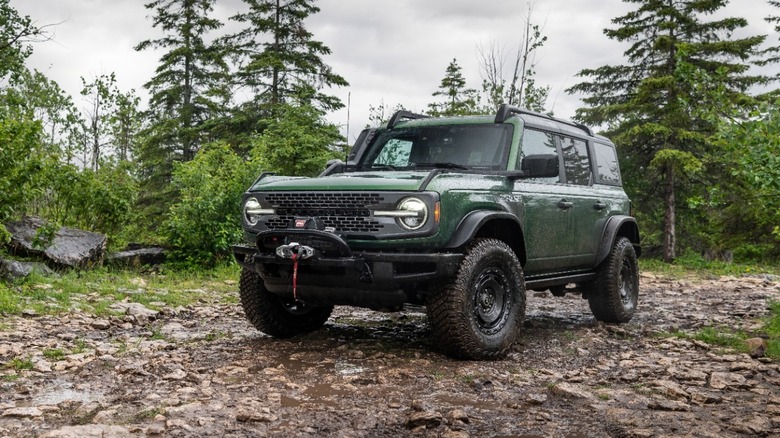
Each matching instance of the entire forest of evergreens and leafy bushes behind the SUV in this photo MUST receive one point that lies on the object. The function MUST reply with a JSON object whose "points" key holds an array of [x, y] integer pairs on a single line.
{"points": [[695, 117]]}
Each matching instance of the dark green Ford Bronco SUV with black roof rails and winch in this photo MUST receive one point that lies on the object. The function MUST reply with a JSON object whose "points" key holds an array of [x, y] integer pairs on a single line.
{"points": [[460, 214]]}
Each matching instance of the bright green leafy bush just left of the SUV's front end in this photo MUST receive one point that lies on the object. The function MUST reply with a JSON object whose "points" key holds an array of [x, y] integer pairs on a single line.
{"points": [[206, 220]]}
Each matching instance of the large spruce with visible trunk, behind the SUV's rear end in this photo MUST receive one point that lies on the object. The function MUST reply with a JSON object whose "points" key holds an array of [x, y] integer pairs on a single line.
{"points": [[650, 108]]}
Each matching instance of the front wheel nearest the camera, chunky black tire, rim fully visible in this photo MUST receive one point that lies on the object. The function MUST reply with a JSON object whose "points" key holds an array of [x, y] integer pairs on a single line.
{"points": [[479, 314]]}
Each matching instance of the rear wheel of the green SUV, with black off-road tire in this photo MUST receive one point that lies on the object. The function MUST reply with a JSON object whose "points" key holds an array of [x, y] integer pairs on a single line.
{"points": [[614, 295]]}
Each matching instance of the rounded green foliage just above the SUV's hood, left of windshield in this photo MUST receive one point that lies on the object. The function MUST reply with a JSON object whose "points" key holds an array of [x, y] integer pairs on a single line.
{"points": [[298, 142]]}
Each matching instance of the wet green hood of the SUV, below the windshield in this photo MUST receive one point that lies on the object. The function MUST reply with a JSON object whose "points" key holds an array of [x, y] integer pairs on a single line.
{"points": [[390, 181]]}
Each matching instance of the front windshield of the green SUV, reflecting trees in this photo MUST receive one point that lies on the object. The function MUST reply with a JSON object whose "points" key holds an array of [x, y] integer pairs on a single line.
{"points": [[477, 146]]}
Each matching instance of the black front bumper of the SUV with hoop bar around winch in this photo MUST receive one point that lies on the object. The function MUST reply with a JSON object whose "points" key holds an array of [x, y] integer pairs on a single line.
{"points": [[337, 275]]}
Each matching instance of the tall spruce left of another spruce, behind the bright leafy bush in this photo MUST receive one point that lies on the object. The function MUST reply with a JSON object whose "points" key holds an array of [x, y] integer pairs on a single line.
{"points": [[188, 90]]}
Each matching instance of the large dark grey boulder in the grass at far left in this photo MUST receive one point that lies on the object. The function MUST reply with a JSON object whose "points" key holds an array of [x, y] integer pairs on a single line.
{"points": [[70, 247]]}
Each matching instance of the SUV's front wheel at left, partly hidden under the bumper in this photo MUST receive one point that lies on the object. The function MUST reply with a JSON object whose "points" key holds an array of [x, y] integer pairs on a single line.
{"points": [[273, 315]]}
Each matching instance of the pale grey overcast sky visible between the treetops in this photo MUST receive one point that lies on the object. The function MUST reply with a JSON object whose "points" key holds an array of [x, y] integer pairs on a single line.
{"points": [[393, 51]]}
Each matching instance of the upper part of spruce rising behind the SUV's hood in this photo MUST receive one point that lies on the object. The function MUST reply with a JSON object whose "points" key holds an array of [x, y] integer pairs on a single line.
{"points": [[278, 59]]}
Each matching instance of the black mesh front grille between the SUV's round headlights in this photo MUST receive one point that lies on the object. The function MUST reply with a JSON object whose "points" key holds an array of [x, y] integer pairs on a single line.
{"points": [[346, 212]]}
